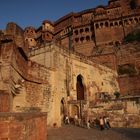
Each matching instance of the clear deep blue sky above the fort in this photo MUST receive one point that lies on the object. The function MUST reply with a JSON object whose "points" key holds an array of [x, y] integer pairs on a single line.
{"points": [[33, 12]]}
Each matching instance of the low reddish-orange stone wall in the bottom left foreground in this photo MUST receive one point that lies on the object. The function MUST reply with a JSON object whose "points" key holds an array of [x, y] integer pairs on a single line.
{"points": [[23, 126]]}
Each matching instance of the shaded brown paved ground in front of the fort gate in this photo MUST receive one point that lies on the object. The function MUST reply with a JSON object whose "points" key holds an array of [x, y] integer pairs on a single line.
{"points": [[70, 132]]}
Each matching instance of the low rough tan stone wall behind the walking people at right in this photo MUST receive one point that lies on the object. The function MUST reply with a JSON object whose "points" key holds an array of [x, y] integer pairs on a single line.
{"points": [[121, 113]]}
